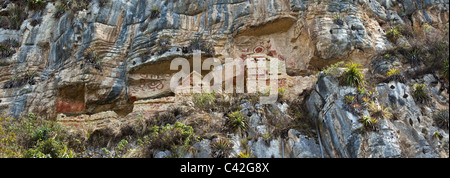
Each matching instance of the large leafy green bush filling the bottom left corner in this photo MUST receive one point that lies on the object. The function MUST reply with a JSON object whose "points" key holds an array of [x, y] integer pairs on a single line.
{"points": [[31, 137]]}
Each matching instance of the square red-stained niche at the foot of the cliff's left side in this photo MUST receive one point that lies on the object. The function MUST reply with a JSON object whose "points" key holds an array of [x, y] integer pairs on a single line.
{"points": [[71, 99]]}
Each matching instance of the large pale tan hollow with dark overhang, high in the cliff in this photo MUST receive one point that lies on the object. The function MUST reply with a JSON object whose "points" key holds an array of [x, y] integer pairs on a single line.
{"points": [[290, 45]]}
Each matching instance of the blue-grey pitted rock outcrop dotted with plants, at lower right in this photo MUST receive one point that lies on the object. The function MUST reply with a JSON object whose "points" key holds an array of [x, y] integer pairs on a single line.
{"points": [[343, 135]]}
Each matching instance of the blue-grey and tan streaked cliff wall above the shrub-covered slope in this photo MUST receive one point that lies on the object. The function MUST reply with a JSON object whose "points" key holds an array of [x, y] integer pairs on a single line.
{"points": [[133, 42]]}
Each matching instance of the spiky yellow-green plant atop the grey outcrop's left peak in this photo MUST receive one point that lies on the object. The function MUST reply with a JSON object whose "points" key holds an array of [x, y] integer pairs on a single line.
{"points": [[353, 75]]}
